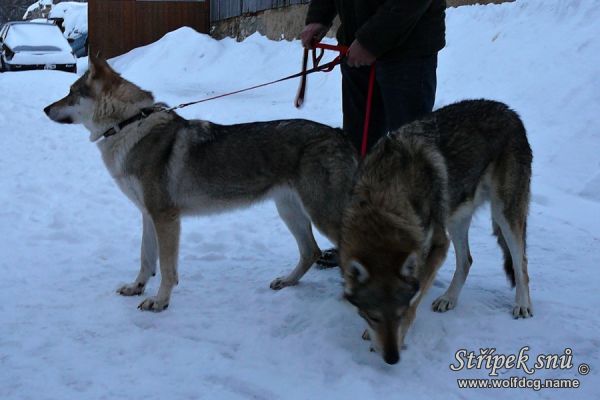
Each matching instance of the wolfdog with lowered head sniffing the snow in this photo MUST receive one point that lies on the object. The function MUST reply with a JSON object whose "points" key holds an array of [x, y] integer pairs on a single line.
{"points": [[428, 177]]}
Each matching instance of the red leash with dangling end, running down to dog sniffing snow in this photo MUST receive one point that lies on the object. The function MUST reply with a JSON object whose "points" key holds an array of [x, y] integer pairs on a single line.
{"points": [[343, 50]]}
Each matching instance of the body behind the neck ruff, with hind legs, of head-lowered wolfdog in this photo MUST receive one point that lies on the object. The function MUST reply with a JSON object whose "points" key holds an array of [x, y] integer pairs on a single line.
{"points": [[485, 146]]}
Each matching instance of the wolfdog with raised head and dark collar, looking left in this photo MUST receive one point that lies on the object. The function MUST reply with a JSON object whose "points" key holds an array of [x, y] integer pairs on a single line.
{"points": [[171, 167]]}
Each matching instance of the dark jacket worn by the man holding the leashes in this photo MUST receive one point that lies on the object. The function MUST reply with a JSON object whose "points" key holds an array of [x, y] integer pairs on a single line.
{"points": [[389, 29]]}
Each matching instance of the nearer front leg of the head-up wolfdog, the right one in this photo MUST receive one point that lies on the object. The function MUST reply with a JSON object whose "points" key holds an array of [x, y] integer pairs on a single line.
{"points": [[168, 228]]}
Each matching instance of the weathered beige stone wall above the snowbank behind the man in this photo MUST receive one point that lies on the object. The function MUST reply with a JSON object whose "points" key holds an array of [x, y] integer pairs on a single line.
{"points": [[286, 23]]}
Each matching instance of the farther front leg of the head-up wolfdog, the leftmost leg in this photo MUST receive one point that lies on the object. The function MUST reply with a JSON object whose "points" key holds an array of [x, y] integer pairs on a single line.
{"points": [[148, 260]]}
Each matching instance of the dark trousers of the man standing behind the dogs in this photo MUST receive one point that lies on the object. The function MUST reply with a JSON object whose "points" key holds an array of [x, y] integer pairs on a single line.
{"points": [[404, 91]]}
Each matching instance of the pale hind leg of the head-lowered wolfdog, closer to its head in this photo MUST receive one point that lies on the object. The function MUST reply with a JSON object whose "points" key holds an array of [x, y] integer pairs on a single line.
{"points": [[459, 233]]}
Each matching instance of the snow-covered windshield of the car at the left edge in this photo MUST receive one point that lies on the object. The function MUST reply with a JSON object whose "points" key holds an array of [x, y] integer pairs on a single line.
{"points": [[36, 37]]}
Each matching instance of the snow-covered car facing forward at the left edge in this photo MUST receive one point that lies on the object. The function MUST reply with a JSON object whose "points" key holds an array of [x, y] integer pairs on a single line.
{"points": [[35, 45]]}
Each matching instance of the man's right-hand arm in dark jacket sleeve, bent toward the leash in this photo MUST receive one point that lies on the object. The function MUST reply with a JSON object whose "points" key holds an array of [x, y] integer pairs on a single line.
{"points": [[391, 25]]}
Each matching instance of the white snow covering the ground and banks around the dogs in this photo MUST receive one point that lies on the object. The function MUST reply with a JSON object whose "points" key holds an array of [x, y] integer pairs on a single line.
{"points": [[69, 237]]}
